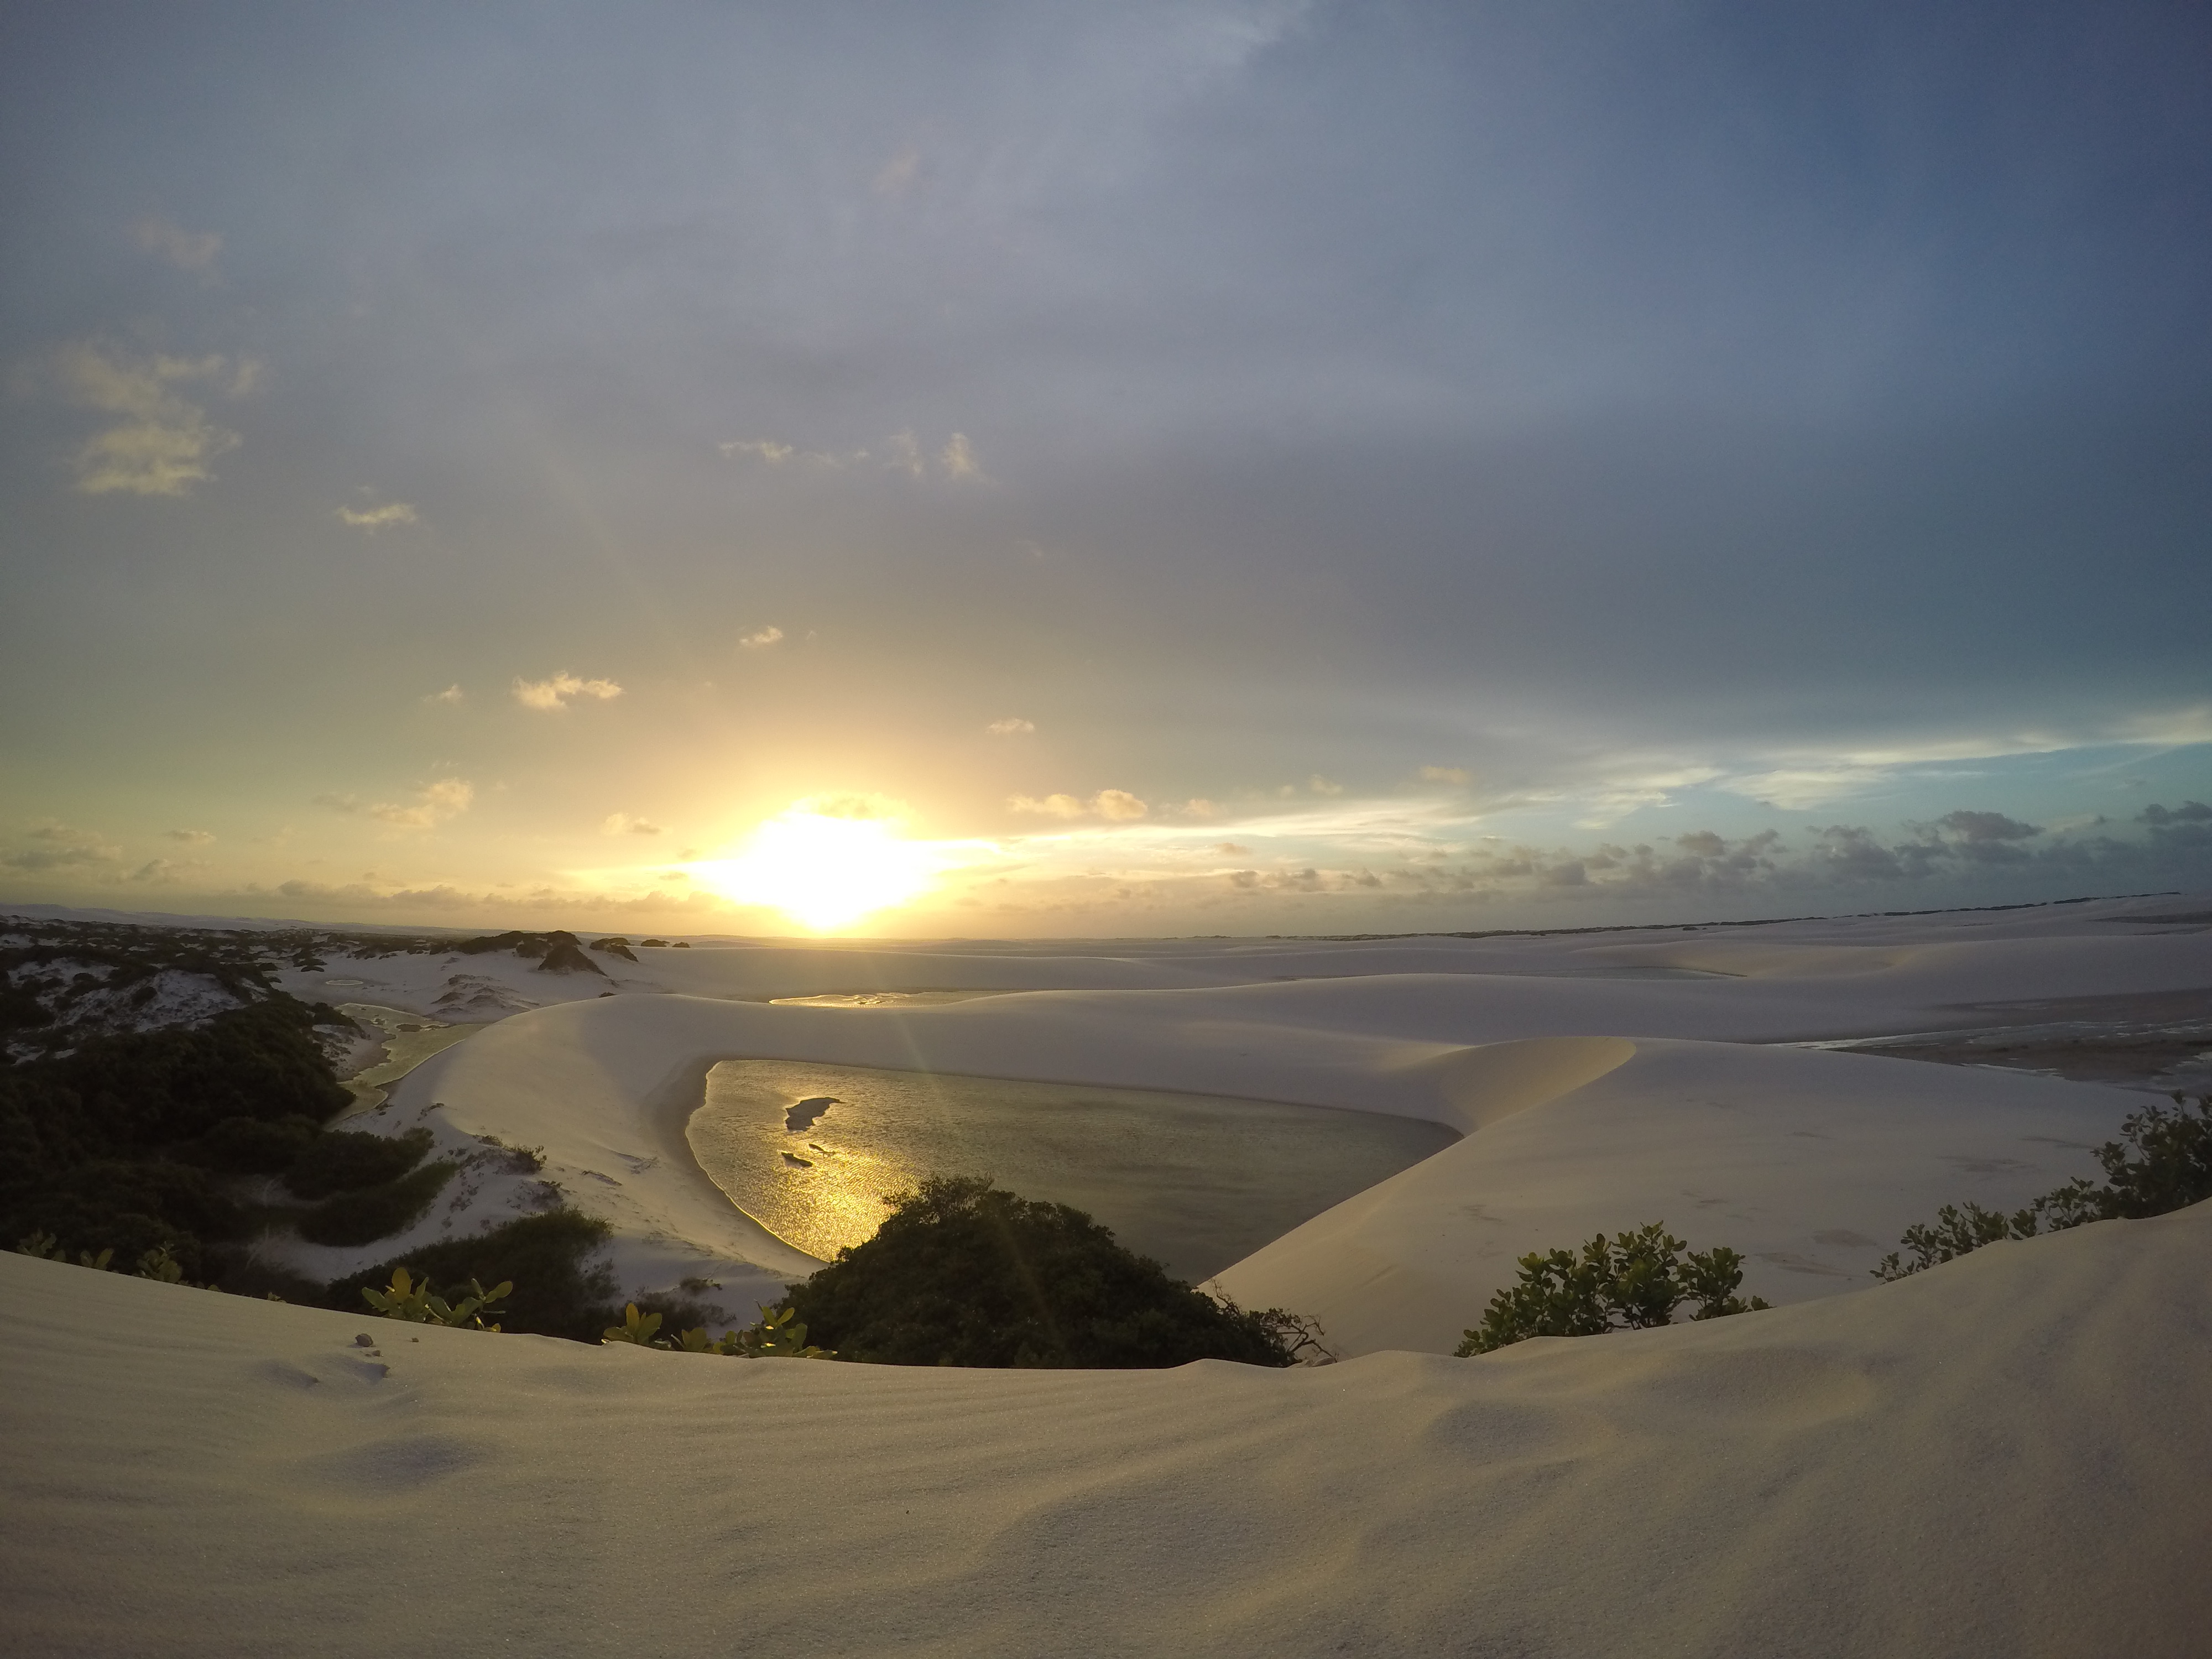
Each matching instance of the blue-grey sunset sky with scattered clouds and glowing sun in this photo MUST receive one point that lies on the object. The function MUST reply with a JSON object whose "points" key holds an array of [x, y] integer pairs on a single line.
{"points": [[1065, 470]]}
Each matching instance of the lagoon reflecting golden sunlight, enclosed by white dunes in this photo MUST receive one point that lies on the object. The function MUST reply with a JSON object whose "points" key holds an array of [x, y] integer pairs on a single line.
{"points": [[1198, 1182]]}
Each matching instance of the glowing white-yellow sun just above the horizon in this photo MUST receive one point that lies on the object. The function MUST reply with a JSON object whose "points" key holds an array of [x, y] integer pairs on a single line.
{"points": [[822, 868]]}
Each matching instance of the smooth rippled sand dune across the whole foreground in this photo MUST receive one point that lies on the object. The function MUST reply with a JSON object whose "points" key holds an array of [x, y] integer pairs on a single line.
{"points": [[2001, 1457]]}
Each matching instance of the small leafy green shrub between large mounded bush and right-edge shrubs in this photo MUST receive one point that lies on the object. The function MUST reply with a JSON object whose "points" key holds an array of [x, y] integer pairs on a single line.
{"points": [[1634, 1282]]}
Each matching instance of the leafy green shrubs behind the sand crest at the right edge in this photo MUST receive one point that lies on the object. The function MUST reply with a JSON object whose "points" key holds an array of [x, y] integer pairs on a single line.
{"points": [[2160, 1162]]}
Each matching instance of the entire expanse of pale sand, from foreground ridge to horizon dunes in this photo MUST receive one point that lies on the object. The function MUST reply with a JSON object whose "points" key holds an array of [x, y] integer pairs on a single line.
{"points": [[2001, 1457]]}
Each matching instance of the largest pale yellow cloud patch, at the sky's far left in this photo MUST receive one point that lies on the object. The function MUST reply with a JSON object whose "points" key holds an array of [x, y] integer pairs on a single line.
{"points": [[163, 444]]}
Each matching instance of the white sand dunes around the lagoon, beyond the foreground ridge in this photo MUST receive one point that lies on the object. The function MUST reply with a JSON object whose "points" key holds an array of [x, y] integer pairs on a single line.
{"points": [[1808, 1162]]}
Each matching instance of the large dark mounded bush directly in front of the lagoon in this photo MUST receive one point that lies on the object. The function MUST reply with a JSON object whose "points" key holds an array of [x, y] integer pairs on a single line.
{"points": [[968, 1275]]}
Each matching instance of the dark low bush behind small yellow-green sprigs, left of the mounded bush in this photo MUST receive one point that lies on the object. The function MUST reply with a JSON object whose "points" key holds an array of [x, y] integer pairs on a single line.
{"points": [[545, 1255]]}
